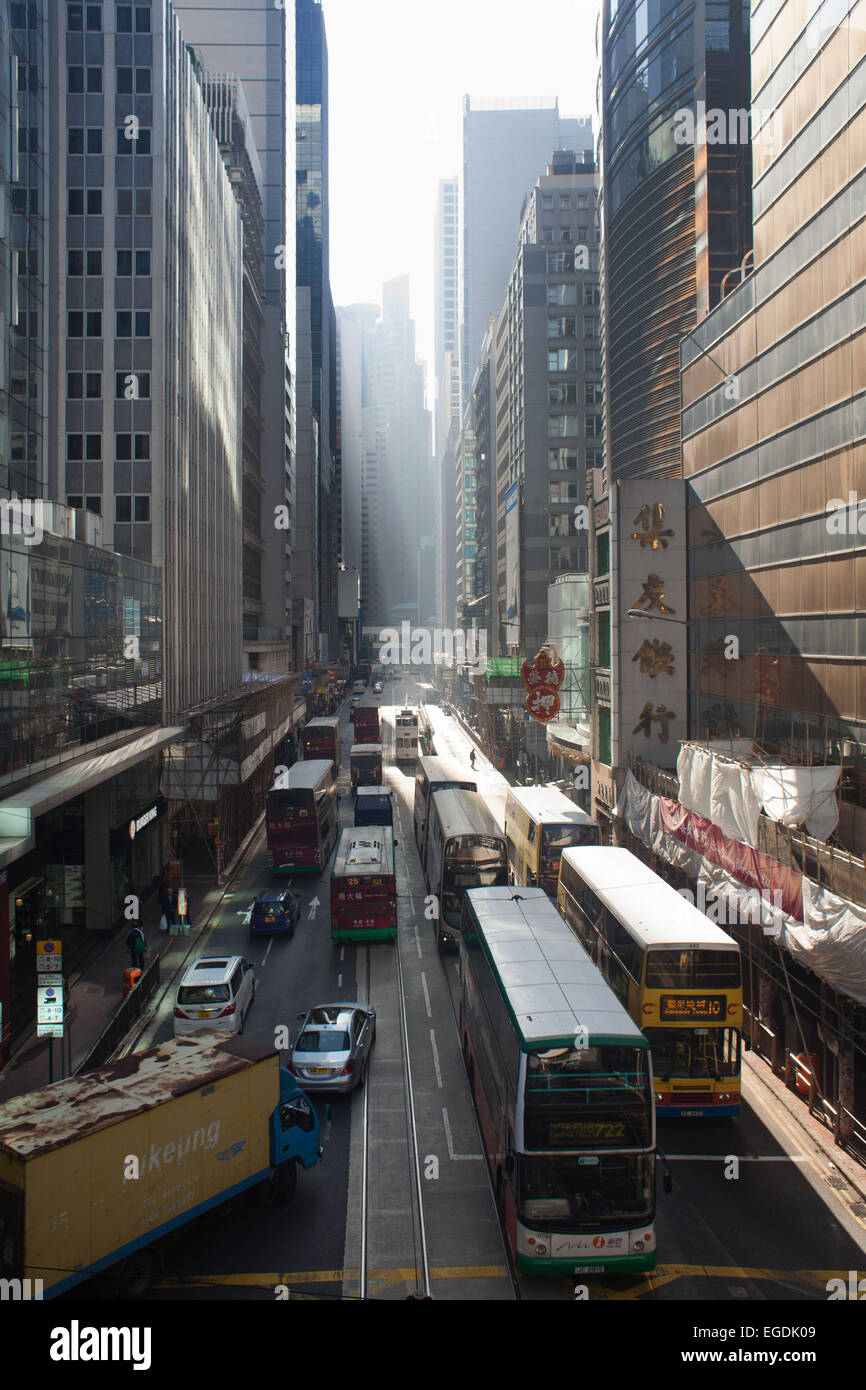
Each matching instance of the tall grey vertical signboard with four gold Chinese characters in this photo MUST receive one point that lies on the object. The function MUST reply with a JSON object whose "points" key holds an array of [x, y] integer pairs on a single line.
{"points": [[654, 646]]}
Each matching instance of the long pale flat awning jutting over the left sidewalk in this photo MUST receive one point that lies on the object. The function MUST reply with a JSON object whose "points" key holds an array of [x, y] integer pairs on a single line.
{"points": [[20, 811]]}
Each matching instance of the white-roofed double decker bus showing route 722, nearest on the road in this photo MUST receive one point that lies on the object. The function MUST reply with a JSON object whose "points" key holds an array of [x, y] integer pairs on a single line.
{"points": [[562, 1082]]}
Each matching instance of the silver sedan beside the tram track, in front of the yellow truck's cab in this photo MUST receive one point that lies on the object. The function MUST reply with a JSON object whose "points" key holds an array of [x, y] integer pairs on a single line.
{"points": [[332, 1052]]}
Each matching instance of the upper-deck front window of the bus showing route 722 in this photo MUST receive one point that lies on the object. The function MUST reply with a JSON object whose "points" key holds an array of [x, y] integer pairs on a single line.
{"points": [[593, 1097]]}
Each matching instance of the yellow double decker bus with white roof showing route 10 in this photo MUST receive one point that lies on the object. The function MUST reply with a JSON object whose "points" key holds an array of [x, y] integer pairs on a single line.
{"points": [[678, 974]]}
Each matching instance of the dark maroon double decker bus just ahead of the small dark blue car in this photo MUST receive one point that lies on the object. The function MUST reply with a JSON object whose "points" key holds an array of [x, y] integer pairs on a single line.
{"points": [[302, 819]]}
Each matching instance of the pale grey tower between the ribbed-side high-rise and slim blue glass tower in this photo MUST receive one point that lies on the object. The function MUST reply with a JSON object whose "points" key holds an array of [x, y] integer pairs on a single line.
{"points": [[256, 42]]}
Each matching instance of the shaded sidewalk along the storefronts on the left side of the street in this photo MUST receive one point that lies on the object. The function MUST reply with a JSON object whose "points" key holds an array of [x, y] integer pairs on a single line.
{"points": [[95, 995]]}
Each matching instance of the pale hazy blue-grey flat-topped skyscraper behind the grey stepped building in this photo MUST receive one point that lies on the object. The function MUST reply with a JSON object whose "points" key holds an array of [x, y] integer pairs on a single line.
{"points": [[507, 145]]}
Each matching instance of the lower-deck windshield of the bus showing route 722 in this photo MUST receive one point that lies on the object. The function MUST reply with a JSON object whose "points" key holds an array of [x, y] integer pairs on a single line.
{"points": [[569, 1189]]}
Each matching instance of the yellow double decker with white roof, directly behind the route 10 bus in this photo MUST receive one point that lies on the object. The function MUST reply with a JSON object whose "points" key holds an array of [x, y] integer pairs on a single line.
{"points": [[540, 822]]}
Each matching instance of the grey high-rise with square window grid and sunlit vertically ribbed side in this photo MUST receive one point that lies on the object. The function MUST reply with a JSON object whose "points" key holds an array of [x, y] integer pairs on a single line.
{"points": [[148, 425]]}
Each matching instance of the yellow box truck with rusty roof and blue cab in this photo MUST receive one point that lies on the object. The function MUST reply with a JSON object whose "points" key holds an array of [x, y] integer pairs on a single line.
{"points": [[95, 1170]]}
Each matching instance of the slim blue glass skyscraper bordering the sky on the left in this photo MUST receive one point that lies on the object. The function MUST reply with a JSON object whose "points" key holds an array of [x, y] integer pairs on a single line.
{"points": [[320, 514]]}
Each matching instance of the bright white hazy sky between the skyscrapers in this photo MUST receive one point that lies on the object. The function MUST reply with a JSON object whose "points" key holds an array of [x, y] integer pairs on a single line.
{"points": [[398, 73]]}
